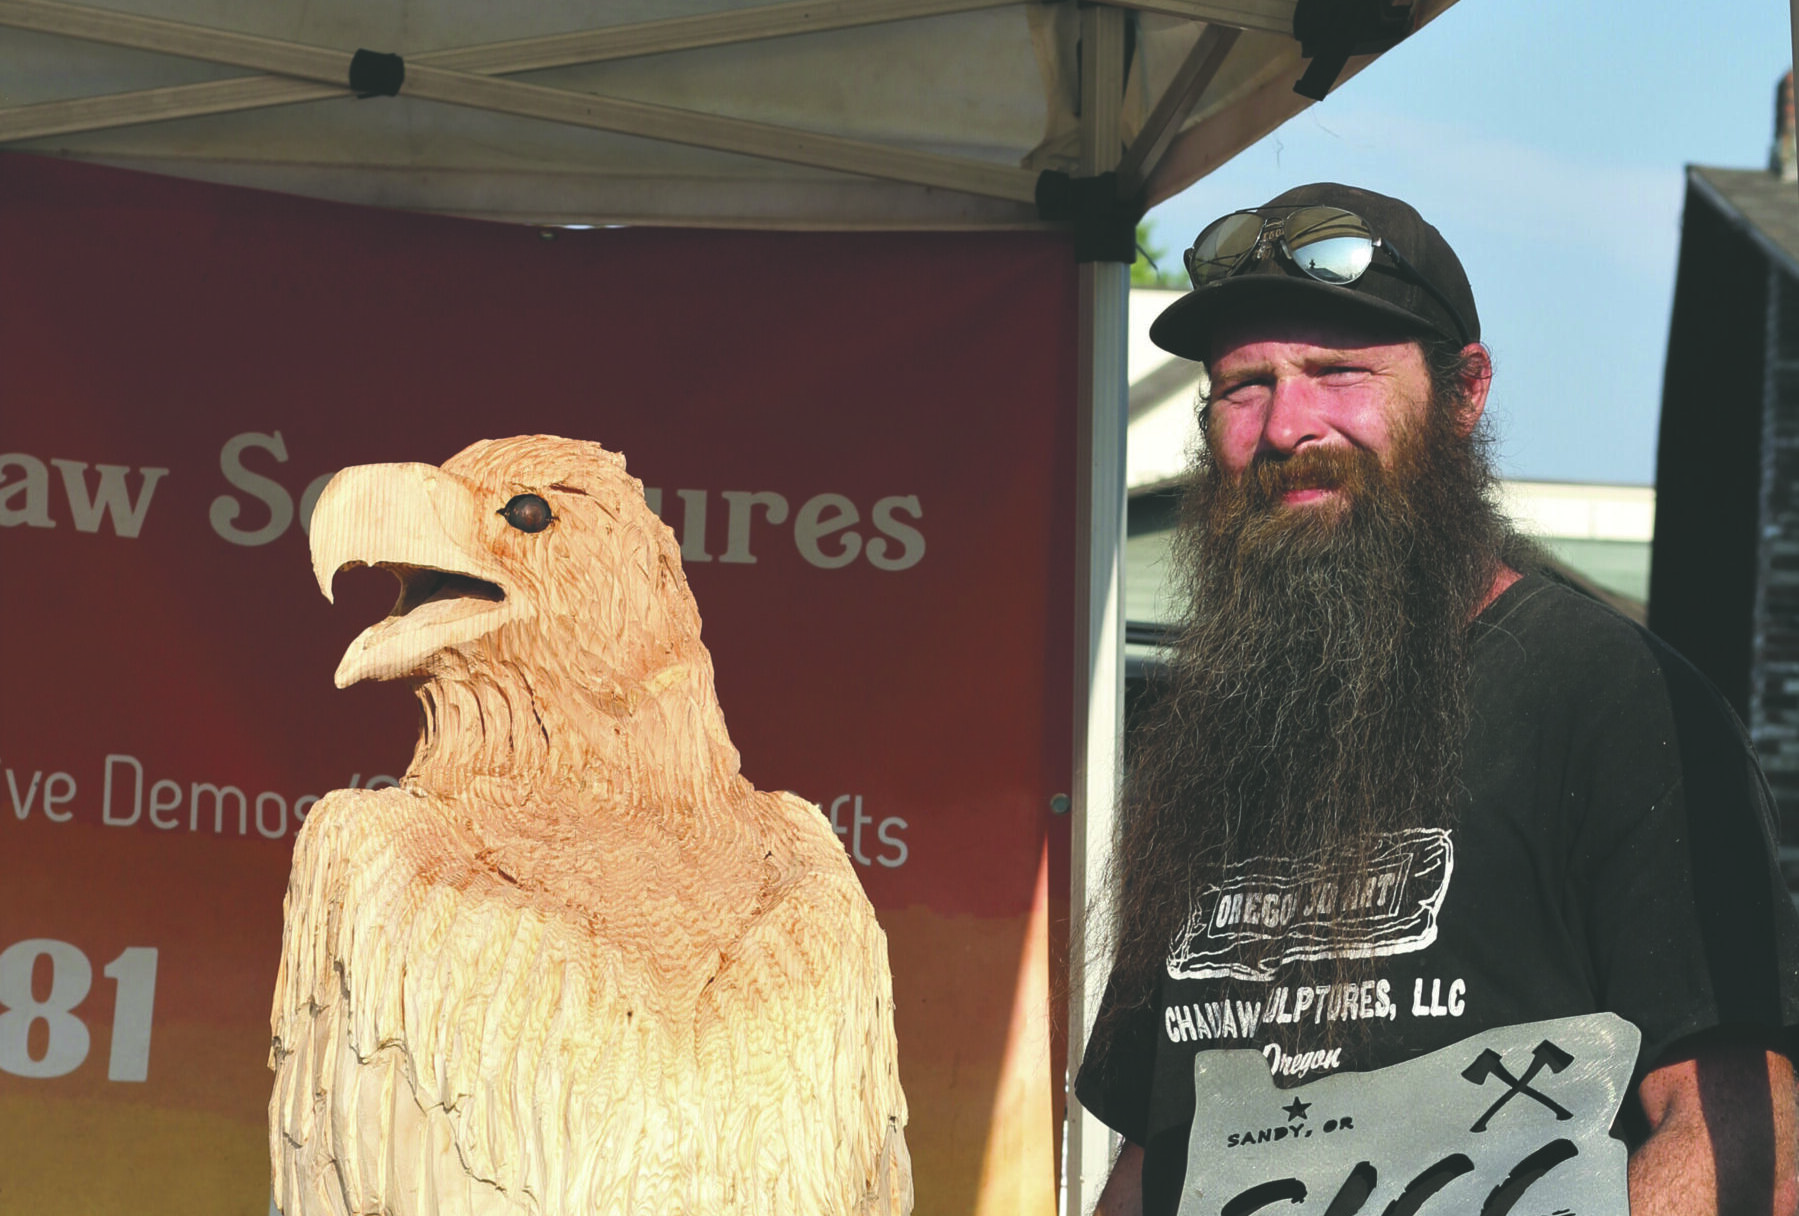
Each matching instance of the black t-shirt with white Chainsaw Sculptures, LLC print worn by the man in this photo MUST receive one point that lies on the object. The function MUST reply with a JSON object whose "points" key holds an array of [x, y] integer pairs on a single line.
{"points": [[1615, 852]]}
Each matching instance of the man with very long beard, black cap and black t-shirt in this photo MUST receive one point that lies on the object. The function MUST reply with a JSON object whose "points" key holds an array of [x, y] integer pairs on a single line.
{"points": [[1401, 787]]}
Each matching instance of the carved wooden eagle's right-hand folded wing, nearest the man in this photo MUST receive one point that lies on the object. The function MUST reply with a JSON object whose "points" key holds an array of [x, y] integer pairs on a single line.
{"points": [[807, 1008]]}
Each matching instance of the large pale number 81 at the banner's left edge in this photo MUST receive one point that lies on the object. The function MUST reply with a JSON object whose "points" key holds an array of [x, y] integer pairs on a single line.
{"points": [[66, 1048]]}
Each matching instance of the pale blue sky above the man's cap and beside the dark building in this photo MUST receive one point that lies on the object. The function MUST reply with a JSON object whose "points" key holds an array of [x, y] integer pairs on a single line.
{"points": [[1548, 141]]}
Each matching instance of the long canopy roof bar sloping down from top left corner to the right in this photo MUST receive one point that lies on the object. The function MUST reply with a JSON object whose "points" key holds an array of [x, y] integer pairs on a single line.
{"points": [[535, 102]]}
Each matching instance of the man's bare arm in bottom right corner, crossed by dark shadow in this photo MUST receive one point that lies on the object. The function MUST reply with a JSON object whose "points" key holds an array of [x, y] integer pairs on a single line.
{"points": [[1723, 1136]]}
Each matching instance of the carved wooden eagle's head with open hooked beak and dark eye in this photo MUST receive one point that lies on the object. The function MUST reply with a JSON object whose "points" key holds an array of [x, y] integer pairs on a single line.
{"points": [[542, 611]]}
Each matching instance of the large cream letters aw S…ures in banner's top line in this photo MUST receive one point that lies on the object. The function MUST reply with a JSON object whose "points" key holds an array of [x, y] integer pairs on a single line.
{"points": [[260, 510]]}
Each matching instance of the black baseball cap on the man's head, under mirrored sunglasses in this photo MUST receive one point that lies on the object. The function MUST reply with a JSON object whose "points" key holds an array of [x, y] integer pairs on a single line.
{"points": [[1384, 292]]}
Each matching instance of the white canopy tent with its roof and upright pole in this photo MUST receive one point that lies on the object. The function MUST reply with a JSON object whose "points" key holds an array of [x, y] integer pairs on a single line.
{"points": [[812, 114]]}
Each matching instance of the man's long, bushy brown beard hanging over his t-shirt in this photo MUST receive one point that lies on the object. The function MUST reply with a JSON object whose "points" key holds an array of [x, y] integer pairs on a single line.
{"points": [[1318, 699]]}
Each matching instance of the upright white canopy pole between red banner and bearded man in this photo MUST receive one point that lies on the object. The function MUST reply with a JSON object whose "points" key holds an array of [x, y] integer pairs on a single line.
{"points": [[1102, 395]]}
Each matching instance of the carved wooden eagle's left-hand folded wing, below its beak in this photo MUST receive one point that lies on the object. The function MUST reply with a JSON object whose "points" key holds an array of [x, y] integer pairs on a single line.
{"points": [[366, 1114]]}
